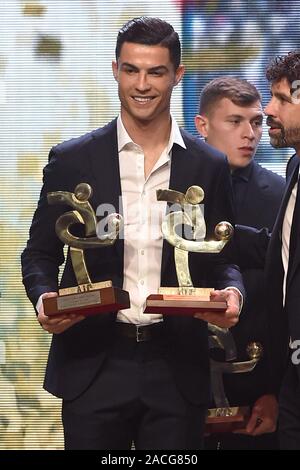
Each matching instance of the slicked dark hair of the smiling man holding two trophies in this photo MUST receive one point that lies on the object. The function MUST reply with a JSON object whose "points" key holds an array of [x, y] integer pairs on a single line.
{"points": [[152, 32]]}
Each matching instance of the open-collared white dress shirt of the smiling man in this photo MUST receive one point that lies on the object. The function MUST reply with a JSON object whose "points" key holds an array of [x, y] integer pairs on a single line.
{"points": [[143, 215]]}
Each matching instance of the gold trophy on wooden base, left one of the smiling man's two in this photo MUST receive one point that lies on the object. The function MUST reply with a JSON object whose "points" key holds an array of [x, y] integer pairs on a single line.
{"points": [[87, 298]]}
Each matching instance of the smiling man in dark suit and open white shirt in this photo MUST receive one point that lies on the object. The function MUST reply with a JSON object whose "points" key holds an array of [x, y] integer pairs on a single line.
{"points": [[125, 376]]}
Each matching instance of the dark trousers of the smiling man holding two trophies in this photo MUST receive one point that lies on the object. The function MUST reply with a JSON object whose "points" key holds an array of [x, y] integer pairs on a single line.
{"points": [[133, 399]]}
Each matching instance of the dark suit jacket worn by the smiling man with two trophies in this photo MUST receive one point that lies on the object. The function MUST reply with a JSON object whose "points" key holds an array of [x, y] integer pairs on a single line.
{"points": [[76, 355]]}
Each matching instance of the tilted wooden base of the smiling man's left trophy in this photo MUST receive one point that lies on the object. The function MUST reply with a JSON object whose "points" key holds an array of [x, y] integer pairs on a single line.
{"points": [[92, 301]]}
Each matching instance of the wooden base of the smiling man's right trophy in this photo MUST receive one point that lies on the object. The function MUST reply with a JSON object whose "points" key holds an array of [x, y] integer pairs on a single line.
{"points": [[170, 301]]}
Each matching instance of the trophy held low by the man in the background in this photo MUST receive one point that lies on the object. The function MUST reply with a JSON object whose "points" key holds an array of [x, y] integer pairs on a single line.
{"points": [[226, 418]]}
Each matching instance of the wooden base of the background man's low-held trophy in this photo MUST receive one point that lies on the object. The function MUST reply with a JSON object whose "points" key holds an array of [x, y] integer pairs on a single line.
{"points": [[226, 420]]}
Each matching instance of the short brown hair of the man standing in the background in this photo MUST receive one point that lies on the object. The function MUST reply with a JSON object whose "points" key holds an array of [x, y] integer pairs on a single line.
{"points": [[239, 90]]}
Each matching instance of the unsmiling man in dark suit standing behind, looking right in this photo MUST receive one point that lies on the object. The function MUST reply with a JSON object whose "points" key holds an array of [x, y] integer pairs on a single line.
{"points": [[230, 120]]}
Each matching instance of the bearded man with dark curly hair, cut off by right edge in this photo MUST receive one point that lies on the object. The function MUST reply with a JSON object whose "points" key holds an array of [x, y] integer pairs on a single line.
{"points": [[283, 258]]}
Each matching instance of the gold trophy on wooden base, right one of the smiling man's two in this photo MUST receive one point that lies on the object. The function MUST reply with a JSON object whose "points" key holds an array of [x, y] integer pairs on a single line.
{"points": [[187, 299]]}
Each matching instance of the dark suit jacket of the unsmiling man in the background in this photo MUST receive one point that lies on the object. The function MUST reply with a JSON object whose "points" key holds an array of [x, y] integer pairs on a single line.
{"points": [[258, 208]]}
